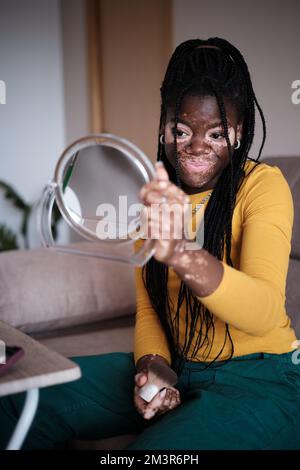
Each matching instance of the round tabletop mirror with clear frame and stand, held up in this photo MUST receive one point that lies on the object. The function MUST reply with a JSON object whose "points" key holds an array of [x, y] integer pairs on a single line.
{"points": [[96, 184]]}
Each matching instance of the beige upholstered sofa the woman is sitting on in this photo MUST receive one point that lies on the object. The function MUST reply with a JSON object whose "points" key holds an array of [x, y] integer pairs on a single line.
{"points": [[83, 306]]}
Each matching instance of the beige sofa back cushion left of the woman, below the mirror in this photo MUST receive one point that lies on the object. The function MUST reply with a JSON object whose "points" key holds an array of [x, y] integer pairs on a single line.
{"points": [[42, 290]]}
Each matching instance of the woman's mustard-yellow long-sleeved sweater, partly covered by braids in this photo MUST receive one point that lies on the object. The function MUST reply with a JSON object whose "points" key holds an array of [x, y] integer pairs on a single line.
{"points": [[251, 295]]}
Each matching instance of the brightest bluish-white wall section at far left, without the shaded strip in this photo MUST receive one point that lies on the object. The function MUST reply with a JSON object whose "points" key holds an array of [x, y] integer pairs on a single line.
{"points": [[32, 125]]}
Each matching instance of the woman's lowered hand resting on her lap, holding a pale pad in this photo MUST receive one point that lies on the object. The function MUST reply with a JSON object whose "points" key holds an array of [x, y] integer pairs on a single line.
{"points": [[166, 400]]}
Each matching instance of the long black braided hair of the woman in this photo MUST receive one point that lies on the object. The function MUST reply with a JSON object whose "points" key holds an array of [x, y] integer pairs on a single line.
{"points": [[219, 71]]}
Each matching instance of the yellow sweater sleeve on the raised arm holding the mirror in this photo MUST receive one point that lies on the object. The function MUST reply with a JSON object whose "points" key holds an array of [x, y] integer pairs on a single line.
{"points": [[252, 297]]}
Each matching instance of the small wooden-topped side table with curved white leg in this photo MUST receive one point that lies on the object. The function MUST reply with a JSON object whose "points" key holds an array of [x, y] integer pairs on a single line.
{"points": [[39, 367]]}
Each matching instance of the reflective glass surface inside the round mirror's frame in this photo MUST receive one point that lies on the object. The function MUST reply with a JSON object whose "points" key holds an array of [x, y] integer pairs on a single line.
{"points": [[100, 192]]}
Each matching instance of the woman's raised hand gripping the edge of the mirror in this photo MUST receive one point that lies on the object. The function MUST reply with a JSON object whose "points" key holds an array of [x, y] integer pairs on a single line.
{"points": [[164, 215]]}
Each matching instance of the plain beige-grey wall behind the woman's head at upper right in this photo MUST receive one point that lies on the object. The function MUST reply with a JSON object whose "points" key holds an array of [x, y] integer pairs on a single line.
{"points": [[267, 34]]}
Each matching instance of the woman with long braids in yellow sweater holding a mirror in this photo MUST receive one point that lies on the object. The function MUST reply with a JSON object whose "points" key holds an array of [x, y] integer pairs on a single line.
{"points": [[215, 315]]}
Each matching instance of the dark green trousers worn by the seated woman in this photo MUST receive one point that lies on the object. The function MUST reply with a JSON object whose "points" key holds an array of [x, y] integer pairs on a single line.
{"points": [[250, 402]]}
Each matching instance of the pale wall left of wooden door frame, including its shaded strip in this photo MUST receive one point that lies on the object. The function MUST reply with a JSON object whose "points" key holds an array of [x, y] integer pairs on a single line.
{"points": [[46, 92]]}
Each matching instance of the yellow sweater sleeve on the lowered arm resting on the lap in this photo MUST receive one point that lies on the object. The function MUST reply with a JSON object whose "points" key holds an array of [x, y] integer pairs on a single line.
{"points": [[149, 336]]}
